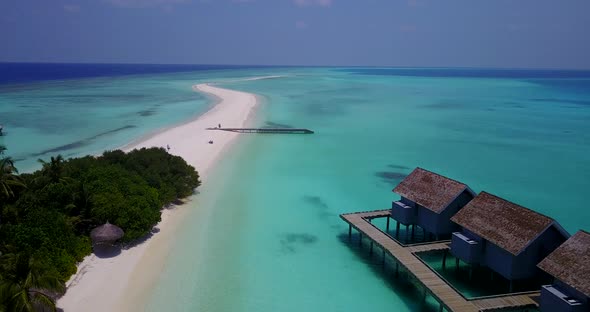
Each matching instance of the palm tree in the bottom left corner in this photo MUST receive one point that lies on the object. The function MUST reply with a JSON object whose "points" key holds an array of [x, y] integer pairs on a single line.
{"points": [[27, 286]]}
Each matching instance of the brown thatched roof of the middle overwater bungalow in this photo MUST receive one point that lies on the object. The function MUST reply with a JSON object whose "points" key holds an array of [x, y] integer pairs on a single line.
{"points": [[505, 224]]}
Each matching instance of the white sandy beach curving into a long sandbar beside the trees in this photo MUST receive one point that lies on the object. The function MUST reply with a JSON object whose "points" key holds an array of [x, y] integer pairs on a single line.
{"points": [[101, 284]]}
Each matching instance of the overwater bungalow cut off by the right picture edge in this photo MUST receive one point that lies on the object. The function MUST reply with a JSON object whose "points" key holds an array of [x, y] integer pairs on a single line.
{"points": [[569, 264]]}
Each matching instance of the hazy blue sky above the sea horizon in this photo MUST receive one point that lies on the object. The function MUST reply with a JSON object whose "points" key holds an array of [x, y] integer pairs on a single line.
{"points": [[413, 33]]}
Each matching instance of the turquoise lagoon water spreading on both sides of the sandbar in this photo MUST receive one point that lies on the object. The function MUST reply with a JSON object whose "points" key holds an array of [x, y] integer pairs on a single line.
{"points": [[265, 234]]}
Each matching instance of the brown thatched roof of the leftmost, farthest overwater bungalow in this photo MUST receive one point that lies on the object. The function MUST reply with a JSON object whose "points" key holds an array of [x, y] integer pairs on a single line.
{"points": [[430, 190]]}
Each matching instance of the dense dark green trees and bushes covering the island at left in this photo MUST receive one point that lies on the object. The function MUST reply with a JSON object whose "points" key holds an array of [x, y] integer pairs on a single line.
{"points": [[46, 216]]}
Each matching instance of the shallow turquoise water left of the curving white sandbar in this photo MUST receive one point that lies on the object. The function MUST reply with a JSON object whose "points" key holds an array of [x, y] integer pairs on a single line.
{"points": [[76, 117]]}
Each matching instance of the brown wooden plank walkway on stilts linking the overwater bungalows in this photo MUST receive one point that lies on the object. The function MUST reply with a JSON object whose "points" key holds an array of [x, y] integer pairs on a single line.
{"points": [[405, 257]]}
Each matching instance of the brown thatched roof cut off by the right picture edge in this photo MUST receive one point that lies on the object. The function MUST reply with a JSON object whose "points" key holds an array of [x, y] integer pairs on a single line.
{"points": [[570, 262]]}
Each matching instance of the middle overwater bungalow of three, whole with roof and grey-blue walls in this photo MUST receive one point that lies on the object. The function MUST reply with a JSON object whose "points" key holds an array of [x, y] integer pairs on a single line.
{"points": [[507, 238]]}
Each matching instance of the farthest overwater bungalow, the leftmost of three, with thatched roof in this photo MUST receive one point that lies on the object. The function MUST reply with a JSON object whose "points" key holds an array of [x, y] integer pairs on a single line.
{"points": [[429, 200]]}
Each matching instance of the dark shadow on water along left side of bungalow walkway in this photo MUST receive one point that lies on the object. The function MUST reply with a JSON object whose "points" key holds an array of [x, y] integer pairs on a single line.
{"points": [[408, 291]]}
